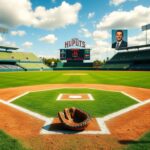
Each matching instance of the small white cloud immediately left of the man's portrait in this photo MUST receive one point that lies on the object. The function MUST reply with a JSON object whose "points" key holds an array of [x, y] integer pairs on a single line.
{"points": [[100, 34]]}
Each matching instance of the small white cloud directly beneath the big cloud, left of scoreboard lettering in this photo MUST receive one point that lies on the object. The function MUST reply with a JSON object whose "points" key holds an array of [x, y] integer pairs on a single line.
{"points": [[50, 38]]}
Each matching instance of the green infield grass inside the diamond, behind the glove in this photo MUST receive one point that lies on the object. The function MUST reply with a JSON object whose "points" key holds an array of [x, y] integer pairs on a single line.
{"points": [[45, 102]]}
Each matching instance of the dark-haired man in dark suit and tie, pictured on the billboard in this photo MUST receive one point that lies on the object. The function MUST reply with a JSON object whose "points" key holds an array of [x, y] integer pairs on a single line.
{"points": [[120, 43]]}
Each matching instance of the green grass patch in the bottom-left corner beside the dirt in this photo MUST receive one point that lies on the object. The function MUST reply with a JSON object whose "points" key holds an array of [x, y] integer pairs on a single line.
{"points": [[9, 143]]}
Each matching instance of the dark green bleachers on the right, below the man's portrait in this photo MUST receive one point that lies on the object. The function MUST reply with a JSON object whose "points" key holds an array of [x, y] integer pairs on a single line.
{"points": [[129, 60]]}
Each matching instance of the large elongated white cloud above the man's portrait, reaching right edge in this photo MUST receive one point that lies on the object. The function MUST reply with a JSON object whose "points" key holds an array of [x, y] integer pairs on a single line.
{"points": [[135, 18]]}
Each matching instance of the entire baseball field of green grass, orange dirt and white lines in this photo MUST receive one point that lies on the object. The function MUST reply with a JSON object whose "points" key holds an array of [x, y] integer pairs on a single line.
{"points": [[120, 109]]}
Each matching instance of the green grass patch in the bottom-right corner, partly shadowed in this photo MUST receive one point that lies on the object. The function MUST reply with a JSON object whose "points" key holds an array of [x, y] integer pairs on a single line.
{"points": [[142, 144]]}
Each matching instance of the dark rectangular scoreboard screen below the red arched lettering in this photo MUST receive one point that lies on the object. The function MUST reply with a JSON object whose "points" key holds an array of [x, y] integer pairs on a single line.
{"points": [[74, 54]]}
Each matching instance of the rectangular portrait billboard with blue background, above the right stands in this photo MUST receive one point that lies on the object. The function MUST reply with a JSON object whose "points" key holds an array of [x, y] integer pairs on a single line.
{"points": [[119, 38]]}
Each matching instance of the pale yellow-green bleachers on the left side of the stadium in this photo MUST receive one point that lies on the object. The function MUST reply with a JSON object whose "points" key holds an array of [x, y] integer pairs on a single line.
{"points": [[19, 61]]}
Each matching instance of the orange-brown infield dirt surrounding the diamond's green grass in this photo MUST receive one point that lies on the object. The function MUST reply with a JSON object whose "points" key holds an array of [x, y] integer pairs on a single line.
{"points": [[124, 128]]}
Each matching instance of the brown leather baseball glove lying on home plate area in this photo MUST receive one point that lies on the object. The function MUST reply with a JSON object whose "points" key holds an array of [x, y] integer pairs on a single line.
{"points": [[74, 119]]}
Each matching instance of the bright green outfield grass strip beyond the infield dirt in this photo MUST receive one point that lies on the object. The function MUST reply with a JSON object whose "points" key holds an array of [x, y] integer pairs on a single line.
{"points": [[14, 79]]}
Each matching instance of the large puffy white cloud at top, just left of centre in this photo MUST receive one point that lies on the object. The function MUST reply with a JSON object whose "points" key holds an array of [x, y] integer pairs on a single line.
{"points": [[57, 17]]}
